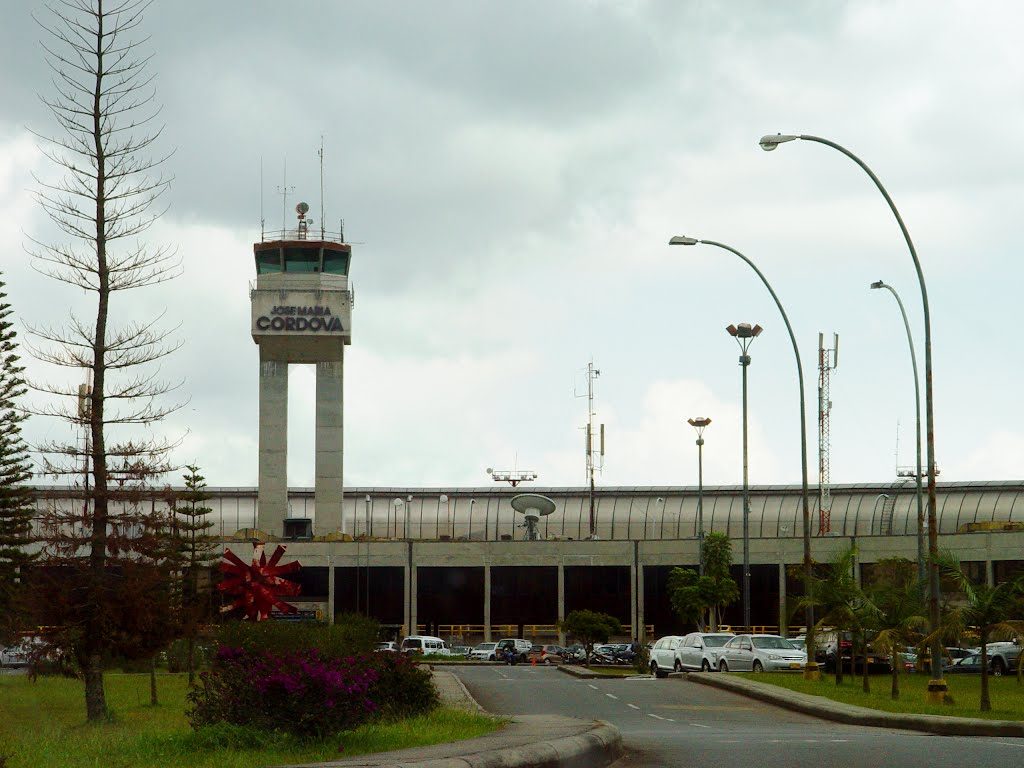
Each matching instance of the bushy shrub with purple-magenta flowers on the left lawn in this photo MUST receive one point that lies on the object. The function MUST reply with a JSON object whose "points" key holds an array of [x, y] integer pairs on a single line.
{"points": [[305, 693]]}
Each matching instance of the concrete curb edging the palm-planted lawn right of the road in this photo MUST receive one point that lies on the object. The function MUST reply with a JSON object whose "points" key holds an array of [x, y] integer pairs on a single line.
{"points": [[854, 715]]}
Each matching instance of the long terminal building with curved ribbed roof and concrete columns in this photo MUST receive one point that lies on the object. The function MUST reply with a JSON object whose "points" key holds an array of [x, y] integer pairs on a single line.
{"points": [[456, 562]]}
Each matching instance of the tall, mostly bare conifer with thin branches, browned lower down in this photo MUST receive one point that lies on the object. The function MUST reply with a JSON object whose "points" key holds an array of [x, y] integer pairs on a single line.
{"points": [[104, 103]]}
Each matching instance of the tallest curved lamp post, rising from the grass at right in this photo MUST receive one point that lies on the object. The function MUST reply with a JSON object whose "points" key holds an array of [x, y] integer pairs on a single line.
{"points": [[936, 687]]}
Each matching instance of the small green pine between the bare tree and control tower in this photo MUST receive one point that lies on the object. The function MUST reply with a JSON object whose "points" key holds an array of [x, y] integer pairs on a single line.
{"points": [[196, 556]]}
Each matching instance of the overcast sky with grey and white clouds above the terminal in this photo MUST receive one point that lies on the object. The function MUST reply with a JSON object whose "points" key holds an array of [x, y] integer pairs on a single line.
{"points": [[510, 175]]}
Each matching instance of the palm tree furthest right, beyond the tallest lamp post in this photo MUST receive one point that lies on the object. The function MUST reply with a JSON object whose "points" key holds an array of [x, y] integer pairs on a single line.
{"points": [[988, 609]]}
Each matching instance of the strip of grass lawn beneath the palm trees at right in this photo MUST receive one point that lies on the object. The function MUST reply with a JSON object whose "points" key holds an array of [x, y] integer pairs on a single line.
{"points": [[1006, 695]]}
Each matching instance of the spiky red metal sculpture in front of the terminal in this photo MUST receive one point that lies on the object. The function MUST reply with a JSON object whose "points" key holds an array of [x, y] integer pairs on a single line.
{"points": [[260, 587]]}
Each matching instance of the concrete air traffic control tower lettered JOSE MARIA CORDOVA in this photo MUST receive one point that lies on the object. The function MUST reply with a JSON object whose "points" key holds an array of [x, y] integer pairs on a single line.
{"points": [[302, 315]]}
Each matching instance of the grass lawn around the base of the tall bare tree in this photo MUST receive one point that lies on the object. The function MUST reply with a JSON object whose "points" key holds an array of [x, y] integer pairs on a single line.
{"points": [[44, 724]]}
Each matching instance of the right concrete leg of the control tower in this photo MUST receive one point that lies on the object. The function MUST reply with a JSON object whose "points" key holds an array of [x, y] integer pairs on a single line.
{"points": [[330, 422]]}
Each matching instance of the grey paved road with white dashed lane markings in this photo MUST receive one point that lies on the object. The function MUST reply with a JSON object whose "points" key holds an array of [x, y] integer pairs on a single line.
{"points": [[676, 723]]}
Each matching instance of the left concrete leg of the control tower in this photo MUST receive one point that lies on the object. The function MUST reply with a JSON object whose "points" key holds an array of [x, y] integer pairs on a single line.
{"points": [[273, 446]]}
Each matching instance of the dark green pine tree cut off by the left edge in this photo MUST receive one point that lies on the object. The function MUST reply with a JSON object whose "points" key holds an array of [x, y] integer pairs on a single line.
{"points": [[16, 497]]}
